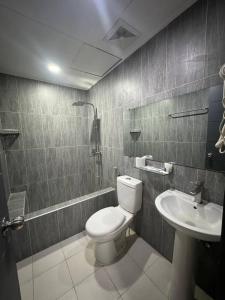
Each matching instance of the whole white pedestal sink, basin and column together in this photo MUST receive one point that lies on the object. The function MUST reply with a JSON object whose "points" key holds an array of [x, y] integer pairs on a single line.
{"points": [[192, 221]]}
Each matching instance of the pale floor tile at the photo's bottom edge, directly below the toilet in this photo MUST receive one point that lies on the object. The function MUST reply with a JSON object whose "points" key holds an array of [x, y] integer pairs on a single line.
{"points": [[97, 286]]}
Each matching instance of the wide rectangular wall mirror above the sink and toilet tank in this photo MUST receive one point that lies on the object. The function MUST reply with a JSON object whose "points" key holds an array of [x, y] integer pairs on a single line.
{"points": [[182, 129]]}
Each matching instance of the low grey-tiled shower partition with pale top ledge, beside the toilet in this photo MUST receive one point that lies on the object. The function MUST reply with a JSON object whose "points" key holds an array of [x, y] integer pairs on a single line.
{"points": [[52, 225]]}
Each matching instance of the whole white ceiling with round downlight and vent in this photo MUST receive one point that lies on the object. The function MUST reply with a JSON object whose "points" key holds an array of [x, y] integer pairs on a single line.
{"points": [[77, 35]]}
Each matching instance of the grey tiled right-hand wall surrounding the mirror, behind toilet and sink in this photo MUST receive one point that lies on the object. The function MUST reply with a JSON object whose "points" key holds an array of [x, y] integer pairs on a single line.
{"points": [[182, 58]]}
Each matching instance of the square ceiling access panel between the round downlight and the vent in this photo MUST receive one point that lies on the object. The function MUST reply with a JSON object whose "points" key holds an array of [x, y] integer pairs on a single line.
{"points": [[94, 61]]}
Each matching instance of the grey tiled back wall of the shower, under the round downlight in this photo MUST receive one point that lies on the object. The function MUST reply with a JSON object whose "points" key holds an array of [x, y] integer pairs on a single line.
{"points": [[50, 158]]}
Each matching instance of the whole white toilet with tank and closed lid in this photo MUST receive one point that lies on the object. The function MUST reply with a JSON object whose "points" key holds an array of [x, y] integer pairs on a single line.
{"points": [[107, 227]]}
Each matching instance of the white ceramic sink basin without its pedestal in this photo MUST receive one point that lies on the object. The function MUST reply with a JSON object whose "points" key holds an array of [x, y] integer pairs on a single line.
{"points": [[200, 221]]}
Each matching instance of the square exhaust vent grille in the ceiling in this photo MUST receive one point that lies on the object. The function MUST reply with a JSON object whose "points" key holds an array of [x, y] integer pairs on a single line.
{"points": [[121, 34]]}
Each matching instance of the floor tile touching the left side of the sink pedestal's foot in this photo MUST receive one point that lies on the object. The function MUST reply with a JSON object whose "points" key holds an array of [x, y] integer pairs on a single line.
{"points": [[160, 274]]}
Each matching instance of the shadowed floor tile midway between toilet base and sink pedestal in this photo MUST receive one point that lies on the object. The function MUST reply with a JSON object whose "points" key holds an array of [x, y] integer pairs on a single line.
{"points": [[143, 253]]}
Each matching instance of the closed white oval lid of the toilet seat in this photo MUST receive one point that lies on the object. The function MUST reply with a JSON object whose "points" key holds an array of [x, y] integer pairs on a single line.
{"points": [[104, 221]]}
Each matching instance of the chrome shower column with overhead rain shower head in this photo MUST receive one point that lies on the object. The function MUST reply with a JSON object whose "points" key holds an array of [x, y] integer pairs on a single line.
{"points": [[96, 151]]}
